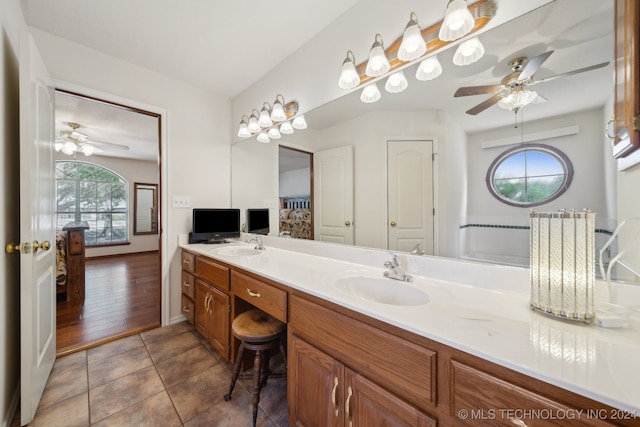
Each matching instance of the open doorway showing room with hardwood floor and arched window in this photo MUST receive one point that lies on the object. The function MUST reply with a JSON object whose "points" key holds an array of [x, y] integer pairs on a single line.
{"points": [[120, 267]]}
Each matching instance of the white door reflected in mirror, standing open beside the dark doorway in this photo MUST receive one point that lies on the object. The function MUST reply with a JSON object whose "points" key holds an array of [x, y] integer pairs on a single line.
{"points": [[333, 195]]}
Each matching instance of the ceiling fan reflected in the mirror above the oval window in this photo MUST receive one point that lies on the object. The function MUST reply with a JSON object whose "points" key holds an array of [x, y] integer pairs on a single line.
{"points": [[511, 93]]}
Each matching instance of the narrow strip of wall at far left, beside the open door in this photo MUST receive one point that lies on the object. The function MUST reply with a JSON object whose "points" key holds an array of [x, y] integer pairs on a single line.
{"points": [[11, 23]]}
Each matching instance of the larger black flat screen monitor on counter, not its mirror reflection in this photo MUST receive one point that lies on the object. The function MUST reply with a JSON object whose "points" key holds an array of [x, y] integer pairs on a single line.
{"points": [[214, 225]]}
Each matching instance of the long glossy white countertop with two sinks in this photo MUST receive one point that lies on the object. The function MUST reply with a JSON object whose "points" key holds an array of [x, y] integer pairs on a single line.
{"points": [[496, 325]]}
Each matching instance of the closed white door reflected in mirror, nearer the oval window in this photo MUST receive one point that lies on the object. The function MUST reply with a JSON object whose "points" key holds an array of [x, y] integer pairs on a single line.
{"points": [[410, 195]]}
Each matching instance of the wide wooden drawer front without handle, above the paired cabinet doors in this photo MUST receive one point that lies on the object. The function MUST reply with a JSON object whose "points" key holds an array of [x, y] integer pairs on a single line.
{"points": [[402, 367]]}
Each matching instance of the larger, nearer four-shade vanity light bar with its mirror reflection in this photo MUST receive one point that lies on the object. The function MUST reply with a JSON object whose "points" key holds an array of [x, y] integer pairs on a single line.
{"points": [[415, 45]]}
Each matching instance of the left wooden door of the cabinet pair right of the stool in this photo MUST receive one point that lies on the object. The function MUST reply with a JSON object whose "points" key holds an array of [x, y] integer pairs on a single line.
{"points": [[315, 386]]}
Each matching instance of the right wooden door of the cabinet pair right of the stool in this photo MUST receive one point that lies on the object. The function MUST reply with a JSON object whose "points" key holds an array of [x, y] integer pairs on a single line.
{"points": [[366, 404]]}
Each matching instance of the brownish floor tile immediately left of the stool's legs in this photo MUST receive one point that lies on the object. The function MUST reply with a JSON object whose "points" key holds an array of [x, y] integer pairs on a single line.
{"points": [[200, 392]]}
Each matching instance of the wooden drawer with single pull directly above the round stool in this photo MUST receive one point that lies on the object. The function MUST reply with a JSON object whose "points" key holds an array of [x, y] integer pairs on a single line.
{"points": [[259, 294]]}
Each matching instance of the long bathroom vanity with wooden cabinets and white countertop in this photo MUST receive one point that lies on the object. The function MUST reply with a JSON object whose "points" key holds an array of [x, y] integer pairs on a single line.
{"points": [[430, 352]]}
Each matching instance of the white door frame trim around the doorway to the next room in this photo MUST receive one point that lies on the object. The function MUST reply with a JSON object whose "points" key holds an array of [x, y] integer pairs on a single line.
{"points": [[163, 193]]}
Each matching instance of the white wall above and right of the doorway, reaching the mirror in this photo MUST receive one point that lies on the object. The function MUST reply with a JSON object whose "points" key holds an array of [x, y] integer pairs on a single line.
{"points": [[196, 160]]}
